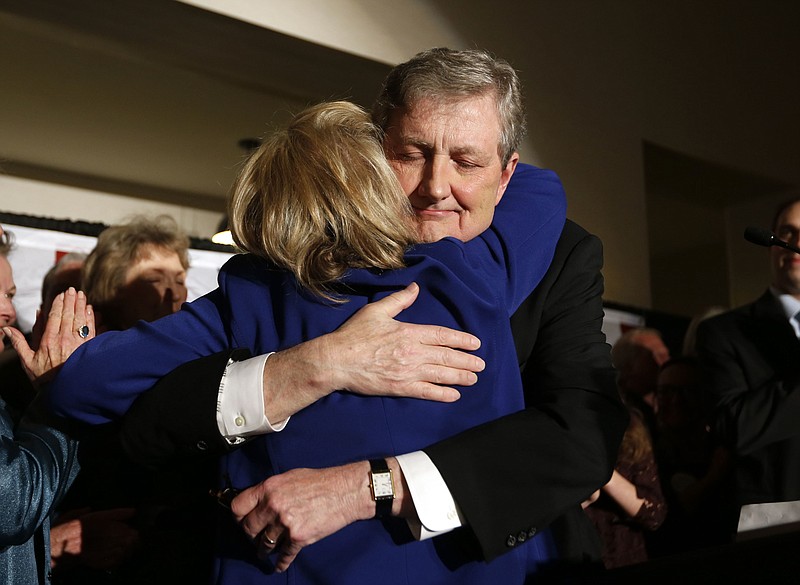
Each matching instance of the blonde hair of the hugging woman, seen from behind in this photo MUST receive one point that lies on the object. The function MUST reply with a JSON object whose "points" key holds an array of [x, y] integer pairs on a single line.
{"points": [[319, 198]]}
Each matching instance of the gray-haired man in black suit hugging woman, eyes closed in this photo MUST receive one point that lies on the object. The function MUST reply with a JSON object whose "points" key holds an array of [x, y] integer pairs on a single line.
{"points": [[453, 121]]}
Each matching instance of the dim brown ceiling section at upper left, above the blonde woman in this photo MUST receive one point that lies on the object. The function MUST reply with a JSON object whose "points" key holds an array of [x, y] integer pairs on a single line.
{"points": [[171, 91]]}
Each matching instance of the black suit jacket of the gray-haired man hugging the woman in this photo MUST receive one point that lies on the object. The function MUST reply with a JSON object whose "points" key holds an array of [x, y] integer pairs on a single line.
{"points": [[512, 476]]}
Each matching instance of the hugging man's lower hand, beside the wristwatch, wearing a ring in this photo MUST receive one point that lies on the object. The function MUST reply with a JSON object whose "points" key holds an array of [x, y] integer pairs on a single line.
{"points": [[287, 512]]}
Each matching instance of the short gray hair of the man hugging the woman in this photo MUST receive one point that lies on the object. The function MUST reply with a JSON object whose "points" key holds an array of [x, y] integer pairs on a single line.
{"points": [[451, 75]]}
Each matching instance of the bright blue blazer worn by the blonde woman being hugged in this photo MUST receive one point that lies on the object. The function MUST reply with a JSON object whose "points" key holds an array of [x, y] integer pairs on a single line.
{"points": [[473, 286]]}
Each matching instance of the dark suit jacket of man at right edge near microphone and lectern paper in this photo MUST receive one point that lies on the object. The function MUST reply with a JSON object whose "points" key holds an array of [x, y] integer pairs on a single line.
{"points": [[753, 357]]}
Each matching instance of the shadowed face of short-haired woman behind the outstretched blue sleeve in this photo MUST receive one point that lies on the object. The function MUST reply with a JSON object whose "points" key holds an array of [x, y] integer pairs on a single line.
{"points": [[155, 286]]}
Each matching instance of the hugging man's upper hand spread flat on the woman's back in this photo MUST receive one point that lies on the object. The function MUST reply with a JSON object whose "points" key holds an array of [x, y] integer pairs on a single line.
{"points": [[375, 355]]}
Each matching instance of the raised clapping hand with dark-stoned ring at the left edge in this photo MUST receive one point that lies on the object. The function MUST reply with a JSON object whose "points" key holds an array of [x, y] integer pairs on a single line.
{"points": [[62, 335]]}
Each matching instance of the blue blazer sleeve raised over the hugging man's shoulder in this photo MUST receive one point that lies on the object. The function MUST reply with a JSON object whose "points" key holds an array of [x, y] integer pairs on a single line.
{"points": [[527, 224]]}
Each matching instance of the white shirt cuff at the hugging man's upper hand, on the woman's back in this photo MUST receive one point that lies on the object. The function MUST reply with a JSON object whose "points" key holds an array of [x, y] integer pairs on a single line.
{"points": [[240, 401]]}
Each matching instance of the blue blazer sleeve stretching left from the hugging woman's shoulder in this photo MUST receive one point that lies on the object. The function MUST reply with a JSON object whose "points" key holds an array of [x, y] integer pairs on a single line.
{"points": [[100, 381]]}
